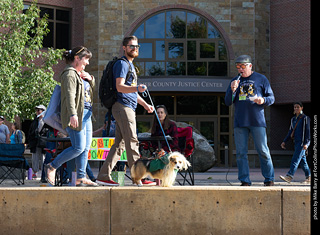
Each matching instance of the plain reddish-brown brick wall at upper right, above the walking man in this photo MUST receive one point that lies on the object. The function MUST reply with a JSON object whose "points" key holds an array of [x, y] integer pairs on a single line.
{"points": [[290, 50]]}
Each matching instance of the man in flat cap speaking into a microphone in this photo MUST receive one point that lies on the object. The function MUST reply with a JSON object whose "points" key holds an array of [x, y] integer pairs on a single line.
{"points": [[250, 92]]}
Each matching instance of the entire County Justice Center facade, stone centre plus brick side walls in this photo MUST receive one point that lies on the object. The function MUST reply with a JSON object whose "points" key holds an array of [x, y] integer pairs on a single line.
{"points": [[187, 55]]}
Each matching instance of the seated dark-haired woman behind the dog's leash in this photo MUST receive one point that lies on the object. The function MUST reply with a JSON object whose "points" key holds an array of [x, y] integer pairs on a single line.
{"points": [[169, 127]]}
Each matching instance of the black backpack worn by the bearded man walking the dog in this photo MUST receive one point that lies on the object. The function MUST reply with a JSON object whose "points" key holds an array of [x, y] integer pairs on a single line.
{"points": [[107, 89]]}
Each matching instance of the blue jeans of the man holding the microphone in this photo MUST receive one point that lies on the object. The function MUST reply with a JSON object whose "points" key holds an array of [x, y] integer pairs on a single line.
{"points": [[241, 136]]}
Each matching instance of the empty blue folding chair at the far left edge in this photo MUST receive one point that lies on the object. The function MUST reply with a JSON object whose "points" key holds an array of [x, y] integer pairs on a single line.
{"points": [[11, 158]]}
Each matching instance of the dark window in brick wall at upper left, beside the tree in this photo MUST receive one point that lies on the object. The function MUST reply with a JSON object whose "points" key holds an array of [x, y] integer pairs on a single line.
{"points": [[59, 21]]}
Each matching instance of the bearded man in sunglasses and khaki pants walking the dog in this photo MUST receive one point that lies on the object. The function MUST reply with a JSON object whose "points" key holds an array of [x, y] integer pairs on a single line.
{"points": [[124, 111]]}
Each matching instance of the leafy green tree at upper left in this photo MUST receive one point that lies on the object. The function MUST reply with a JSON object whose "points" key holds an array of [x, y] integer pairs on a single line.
{"points": [[26, 74]]}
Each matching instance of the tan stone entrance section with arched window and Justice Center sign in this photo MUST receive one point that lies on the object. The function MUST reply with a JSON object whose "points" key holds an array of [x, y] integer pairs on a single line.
{"points": [[186, 56]]}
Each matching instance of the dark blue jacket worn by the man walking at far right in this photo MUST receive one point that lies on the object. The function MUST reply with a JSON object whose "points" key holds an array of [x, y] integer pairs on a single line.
{"points": [[302, 131]]}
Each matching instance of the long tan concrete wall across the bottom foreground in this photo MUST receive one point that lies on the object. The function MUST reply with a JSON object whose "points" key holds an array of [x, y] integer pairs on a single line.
{"points": [[176, 210]]}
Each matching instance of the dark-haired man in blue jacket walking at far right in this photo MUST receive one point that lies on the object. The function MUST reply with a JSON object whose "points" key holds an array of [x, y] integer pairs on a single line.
{"points": [[299, 132]]}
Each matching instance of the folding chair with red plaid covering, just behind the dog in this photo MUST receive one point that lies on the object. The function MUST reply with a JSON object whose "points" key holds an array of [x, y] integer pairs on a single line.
{"points": [[186, 145]]}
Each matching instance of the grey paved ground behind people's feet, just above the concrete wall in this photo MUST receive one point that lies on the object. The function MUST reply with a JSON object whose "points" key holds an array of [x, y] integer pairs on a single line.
{"points": [[213, 177]]}
